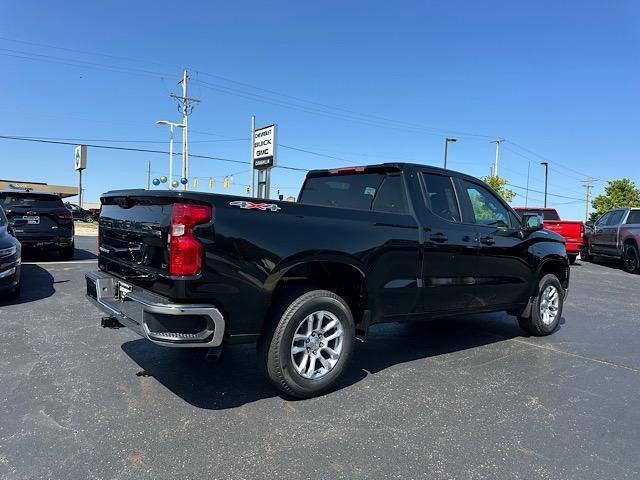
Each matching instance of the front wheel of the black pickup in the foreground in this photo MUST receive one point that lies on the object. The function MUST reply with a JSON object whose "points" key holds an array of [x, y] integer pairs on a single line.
{"points": [[546, 309]]}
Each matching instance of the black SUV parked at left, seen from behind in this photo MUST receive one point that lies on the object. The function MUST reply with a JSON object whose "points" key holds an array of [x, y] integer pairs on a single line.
{"points": [[39, 220]]}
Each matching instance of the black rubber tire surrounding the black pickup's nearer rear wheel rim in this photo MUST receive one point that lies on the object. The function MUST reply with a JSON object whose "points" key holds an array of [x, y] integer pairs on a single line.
{"points": [[275, 344]]}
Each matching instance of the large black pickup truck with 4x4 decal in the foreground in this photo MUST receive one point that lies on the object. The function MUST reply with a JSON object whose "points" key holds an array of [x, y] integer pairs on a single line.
{"points": [[363, 245]]}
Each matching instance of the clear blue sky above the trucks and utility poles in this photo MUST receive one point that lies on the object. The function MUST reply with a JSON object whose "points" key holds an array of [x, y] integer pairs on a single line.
{"points": [[557, 78]]}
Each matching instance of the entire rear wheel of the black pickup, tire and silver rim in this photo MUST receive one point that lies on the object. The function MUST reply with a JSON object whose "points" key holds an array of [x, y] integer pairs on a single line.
{"points": [[309, 343]]}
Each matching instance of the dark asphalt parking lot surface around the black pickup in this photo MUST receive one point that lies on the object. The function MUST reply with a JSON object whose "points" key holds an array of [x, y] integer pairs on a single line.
{"points": [[460, 398]]}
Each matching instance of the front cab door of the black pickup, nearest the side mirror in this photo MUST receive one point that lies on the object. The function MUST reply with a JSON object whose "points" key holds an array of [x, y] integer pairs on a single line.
{"points": [[503, 274]]}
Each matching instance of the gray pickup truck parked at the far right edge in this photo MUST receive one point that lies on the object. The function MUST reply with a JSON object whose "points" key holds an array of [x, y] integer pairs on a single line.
{"points": [[616, 234]]}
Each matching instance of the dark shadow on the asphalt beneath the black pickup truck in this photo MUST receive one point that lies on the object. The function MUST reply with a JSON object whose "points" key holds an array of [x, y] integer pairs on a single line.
{"points": [[236, 380]]}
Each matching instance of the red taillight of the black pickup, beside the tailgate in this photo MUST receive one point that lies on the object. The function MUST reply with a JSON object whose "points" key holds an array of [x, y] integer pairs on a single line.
{"points": [[185, 252]]}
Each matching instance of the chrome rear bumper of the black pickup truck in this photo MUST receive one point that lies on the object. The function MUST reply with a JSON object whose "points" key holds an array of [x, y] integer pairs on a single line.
{"points": [[153, 317]]}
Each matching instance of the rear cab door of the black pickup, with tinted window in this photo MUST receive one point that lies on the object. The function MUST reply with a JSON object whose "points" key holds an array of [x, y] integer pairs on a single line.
{"points": [[449, 249]]}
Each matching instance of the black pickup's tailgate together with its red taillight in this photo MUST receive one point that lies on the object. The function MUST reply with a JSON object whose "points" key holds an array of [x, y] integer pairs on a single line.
{"points": [[140, 242]]}
